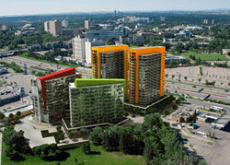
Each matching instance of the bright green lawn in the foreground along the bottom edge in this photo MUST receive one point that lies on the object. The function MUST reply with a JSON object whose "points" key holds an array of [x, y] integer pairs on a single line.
{"points": [[104, 158]]}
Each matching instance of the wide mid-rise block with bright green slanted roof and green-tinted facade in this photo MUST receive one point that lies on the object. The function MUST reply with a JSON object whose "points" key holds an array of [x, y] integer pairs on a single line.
{"points": [[94, 101]]}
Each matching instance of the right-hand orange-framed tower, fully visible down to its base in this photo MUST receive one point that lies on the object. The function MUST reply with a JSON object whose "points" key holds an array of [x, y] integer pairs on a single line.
{"points": [[146, 74]]}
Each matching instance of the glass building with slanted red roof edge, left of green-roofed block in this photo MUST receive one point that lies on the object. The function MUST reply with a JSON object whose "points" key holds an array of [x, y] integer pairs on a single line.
{"points": [[51, 95]]}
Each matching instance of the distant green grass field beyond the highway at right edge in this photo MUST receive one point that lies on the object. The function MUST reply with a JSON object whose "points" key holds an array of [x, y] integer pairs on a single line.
{"points": [[206, 57]]}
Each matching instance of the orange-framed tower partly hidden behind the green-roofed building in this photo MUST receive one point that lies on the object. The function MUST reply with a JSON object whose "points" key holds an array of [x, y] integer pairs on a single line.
{"points": [[110, 62]]}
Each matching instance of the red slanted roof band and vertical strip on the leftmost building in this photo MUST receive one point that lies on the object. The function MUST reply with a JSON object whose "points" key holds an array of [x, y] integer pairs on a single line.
{"points": [[61, 73]]}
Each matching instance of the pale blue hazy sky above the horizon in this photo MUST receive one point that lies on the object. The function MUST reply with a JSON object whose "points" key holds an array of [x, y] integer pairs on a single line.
{"points": [[32, 7]]}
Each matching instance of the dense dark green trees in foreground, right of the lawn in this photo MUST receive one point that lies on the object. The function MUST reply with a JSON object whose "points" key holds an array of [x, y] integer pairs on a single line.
{"points": [[154, 139]]}
